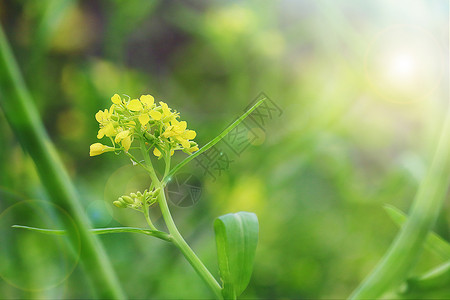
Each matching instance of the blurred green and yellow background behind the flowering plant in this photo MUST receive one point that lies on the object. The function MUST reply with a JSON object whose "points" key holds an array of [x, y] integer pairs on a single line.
{"points": [[362, 86]]}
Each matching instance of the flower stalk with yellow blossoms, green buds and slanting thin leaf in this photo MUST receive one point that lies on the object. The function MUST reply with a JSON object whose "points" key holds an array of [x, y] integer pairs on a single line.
{"points": [[157, 129]]}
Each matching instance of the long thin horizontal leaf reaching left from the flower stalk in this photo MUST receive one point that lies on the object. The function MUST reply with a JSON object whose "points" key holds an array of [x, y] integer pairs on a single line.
{"points": [[155, 233]]}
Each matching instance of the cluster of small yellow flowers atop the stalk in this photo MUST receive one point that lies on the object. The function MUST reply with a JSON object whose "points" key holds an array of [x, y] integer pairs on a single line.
{"points": [[157, 125]]}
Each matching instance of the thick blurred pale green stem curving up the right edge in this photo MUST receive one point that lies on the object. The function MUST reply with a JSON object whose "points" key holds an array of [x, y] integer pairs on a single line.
{"points": [[401, 256]]}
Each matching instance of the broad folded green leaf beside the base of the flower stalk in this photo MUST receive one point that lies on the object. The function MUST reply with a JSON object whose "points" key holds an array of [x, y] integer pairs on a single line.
{"points": [[236, 239]]}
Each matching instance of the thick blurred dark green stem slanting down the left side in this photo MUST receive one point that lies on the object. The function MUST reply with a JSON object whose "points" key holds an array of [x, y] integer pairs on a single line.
{"points": [[24, 119]]}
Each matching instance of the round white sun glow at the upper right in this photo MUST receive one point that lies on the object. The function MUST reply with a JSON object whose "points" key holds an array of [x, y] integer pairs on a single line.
{"points": [[404, 64]]}
